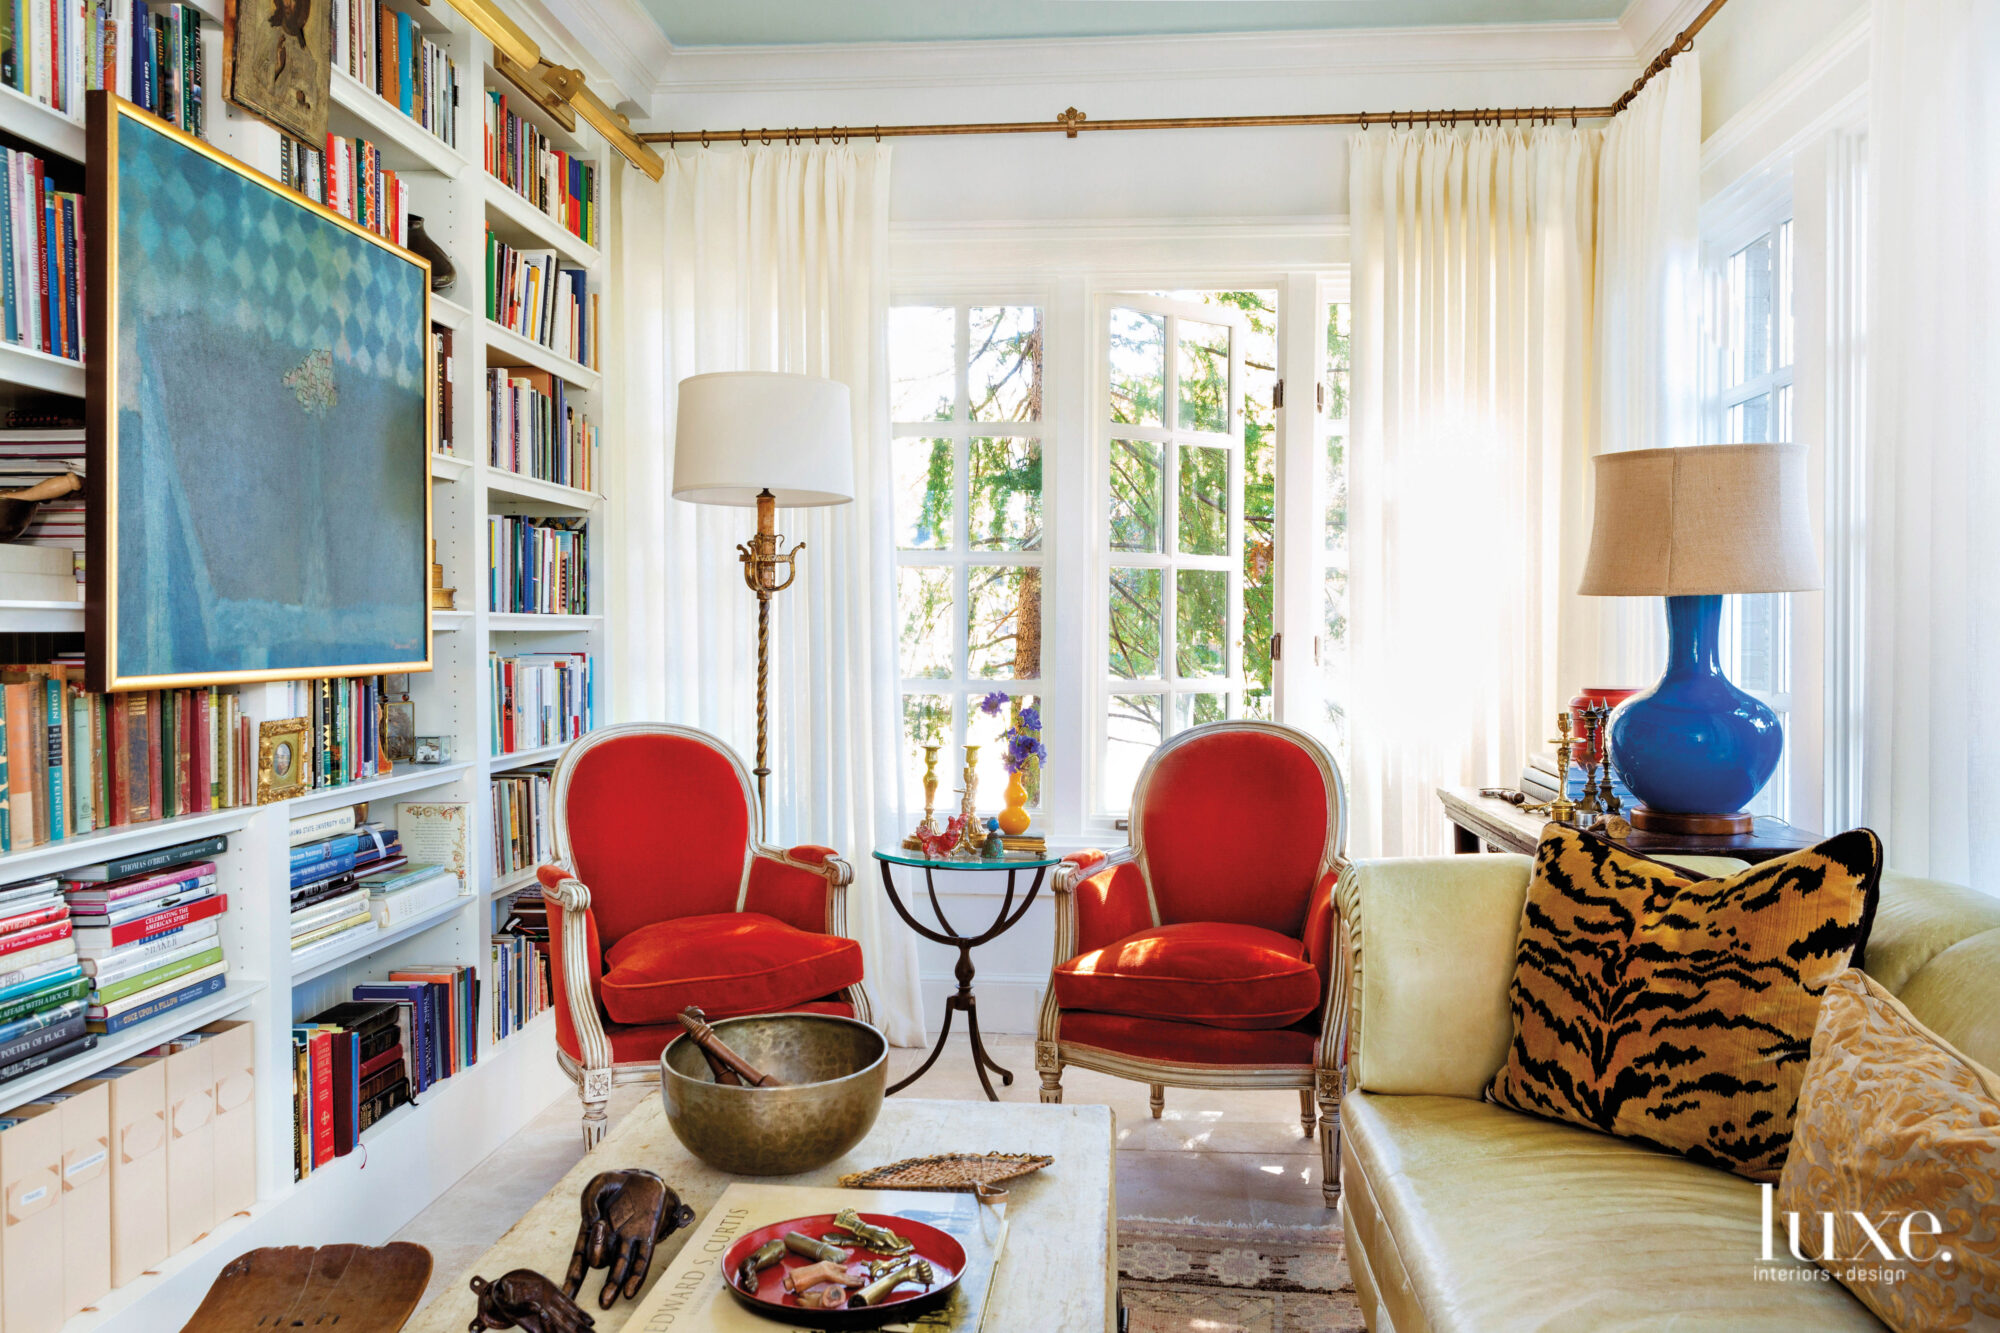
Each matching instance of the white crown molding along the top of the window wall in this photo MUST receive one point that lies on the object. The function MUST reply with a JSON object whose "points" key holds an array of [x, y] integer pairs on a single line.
{"points": [[1579, 47]]}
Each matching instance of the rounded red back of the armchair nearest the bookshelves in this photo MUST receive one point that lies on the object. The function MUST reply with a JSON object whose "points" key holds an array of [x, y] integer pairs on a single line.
{"points": [[657, 820]]}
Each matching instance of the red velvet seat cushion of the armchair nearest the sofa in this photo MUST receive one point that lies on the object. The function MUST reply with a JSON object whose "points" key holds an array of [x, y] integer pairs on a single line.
{"points": [[1199, 972]]}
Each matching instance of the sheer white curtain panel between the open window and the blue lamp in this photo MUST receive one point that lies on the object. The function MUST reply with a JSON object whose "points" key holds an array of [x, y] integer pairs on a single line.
{"points": [[1473, 341]]}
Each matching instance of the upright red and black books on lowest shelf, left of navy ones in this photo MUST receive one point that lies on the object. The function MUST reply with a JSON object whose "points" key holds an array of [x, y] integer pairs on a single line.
{"points": [[349, 1070]]}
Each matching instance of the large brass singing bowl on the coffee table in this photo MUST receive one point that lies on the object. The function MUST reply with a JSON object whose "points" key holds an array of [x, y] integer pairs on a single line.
{"points": [[835, 1074]]}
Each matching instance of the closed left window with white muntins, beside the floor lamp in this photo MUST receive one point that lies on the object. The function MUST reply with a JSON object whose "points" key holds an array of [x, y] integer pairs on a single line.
{"points": [[967, 473]]}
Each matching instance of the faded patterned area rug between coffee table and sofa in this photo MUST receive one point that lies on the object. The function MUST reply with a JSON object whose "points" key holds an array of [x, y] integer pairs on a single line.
{"points": [[1185, 1278]]}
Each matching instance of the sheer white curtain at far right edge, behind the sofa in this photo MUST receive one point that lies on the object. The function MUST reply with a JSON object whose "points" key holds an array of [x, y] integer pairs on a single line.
{"points": [[1931, 752]]}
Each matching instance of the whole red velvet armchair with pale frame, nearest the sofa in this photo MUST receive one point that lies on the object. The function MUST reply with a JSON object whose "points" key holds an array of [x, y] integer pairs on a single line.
{"points": [[1203, 956]]}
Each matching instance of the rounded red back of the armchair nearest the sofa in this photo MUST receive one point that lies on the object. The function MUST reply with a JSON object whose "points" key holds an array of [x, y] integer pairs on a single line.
{"points": [[1237, 822]]}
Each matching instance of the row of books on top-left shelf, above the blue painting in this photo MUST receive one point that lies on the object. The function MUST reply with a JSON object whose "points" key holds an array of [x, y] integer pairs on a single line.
{"points": [[55, 51]]}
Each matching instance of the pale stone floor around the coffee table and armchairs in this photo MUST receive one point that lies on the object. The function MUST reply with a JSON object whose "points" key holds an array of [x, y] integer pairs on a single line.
{"points": [[1213, 1158]]}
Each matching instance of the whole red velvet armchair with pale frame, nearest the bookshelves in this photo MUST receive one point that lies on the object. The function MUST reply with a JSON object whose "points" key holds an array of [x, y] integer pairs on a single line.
{"points": [[665, 898]]}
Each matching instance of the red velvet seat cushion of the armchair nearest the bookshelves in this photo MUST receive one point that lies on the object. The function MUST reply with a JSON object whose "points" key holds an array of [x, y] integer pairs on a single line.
{"points": [[725, 964]]}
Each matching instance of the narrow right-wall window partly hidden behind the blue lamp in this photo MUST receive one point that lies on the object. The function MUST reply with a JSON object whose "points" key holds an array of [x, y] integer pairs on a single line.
{"points": [[1751, 353]]}
